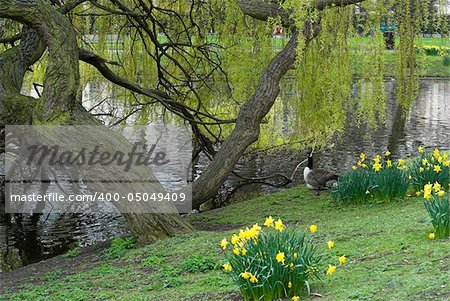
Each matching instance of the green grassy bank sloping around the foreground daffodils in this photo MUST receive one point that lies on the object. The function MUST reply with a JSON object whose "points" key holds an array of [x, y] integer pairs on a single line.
{"points": [[389, 257]]}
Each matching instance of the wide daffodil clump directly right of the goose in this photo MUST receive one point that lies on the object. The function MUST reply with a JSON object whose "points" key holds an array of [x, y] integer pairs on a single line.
{"points": [[381, 178]]}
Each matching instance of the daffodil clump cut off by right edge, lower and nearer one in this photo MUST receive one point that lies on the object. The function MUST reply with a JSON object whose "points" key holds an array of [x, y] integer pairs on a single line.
{"points": [[437, 203]]}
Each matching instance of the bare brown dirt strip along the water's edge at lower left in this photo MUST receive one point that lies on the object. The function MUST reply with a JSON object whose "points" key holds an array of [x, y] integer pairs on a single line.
{"points": [[89, 258]]}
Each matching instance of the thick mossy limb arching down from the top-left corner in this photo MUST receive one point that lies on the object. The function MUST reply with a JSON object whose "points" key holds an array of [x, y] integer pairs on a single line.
{"points": [[61, 77]]}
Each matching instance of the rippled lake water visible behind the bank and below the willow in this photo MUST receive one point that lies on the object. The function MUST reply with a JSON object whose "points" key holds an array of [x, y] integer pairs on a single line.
{"points": [[28, 239]]}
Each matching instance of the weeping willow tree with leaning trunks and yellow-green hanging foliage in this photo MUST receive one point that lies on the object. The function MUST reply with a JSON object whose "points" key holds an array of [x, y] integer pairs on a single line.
{"points": [[212, 64]]}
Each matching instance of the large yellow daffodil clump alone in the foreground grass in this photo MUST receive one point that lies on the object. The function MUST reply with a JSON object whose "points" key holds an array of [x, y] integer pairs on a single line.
{"points": [[272, 262]]}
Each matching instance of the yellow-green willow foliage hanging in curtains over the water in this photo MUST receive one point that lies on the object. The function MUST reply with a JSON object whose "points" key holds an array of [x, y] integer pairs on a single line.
{"points": [[221, 53]]}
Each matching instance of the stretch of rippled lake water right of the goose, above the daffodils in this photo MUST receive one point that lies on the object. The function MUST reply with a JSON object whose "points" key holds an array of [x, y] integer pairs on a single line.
{"points": [[427, 123]]}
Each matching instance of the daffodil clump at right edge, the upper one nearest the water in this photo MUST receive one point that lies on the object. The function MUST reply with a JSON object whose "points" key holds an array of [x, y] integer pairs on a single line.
{"points": [[430, 167]]}
